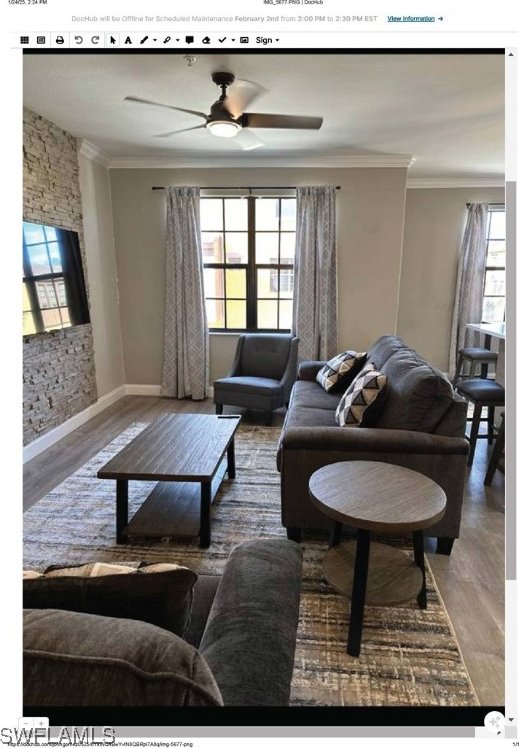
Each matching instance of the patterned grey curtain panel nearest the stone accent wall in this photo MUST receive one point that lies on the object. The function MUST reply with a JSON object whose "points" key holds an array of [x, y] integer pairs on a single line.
{"points": [[185, 369]]}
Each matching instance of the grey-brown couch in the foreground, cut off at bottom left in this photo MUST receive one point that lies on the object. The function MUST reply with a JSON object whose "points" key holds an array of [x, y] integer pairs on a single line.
{"points": [[238, 649]]}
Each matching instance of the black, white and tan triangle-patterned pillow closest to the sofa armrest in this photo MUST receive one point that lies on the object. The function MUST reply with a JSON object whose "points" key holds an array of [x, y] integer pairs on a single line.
{"points": [[362, 401]]}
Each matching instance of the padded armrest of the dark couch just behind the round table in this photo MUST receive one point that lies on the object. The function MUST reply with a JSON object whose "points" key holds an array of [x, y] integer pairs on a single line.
{"points": [[330, 438]]}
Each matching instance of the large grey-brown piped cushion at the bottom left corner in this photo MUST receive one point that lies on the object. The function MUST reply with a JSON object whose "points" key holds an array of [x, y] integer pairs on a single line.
{"points": [[77, 659]]}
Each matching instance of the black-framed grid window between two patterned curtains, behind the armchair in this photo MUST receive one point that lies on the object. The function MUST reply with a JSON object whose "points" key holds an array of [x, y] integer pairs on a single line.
{"points": [[248, 247]]}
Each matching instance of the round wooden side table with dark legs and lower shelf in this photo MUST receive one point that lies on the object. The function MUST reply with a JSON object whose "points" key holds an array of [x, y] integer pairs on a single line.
{"points": [[386, 499]]}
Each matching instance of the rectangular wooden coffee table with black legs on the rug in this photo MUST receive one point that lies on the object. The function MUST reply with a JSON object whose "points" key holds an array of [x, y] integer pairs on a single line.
{"points": [[178, 451]]}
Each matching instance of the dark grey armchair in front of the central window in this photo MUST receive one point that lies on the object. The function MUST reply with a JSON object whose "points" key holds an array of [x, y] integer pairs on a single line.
{"points": [[262, 373]]}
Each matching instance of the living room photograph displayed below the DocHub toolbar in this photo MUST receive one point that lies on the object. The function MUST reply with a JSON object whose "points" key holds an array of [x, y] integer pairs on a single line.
{"points": [[263, 364]]}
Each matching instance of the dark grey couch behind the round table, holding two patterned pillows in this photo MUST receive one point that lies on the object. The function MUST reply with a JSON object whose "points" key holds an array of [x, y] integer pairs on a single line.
{"points": [[421, 426]]}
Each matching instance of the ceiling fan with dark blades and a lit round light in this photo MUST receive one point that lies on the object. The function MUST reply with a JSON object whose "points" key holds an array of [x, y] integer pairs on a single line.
{"points": [[227, 117]]}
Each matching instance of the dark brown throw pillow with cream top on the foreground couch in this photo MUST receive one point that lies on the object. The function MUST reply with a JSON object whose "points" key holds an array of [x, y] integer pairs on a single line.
{"points": [[161, 594]]}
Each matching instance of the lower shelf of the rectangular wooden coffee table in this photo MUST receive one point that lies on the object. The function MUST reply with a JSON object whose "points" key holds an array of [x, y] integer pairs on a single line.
{"points": [[174, 509]]}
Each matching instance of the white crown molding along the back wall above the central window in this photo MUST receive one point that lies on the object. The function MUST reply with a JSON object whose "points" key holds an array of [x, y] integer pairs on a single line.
{"points": [[381, 161]]}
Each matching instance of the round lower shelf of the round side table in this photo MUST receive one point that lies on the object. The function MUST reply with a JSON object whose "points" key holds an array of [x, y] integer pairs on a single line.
{"points": [[393, 576]]}
